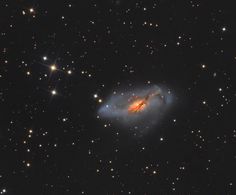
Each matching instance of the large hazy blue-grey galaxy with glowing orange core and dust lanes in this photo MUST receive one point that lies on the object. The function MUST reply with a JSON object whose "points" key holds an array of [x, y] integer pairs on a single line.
{"points": [[140, 108]]}
